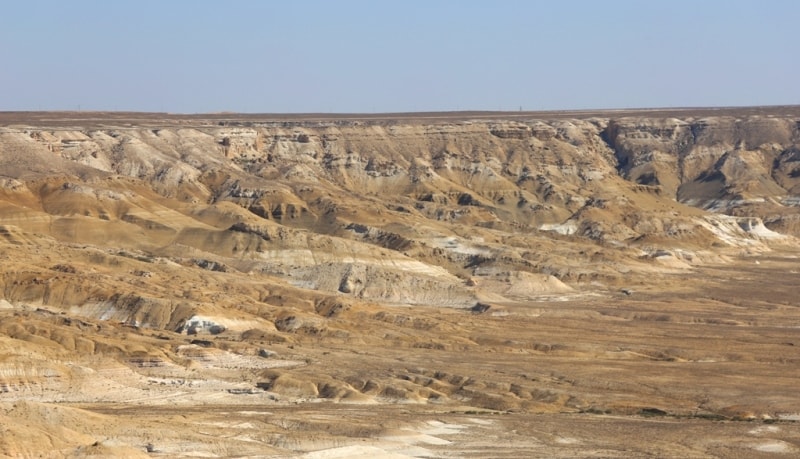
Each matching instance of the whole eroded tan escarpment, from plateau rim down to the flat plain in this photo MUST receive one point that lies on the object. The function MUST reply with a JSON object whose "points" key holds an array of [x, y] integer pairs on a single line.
{"points": [[387, 210]]}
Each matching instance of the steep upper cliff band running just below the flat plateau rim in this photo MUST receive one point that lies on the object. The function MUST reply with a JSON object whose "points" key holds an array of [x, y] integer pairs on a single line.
{"points": [[525, 172]]}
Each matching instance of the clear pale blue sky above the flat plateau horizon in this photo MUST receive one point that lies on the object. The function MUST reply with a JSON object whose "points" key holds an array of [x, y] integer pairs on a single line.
{"points": [[365, 56]]}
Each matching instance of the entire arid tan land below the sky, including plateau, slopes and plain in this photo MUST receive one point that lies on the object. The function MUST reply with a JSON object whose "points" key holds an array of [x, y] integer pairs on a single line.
{"points": [[586, 284]]}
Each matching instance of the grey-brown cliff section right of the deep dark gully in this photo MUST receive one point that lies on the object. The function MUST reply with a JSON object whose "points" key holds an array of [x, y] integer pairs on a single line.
{"points": [[741, 166]]}
